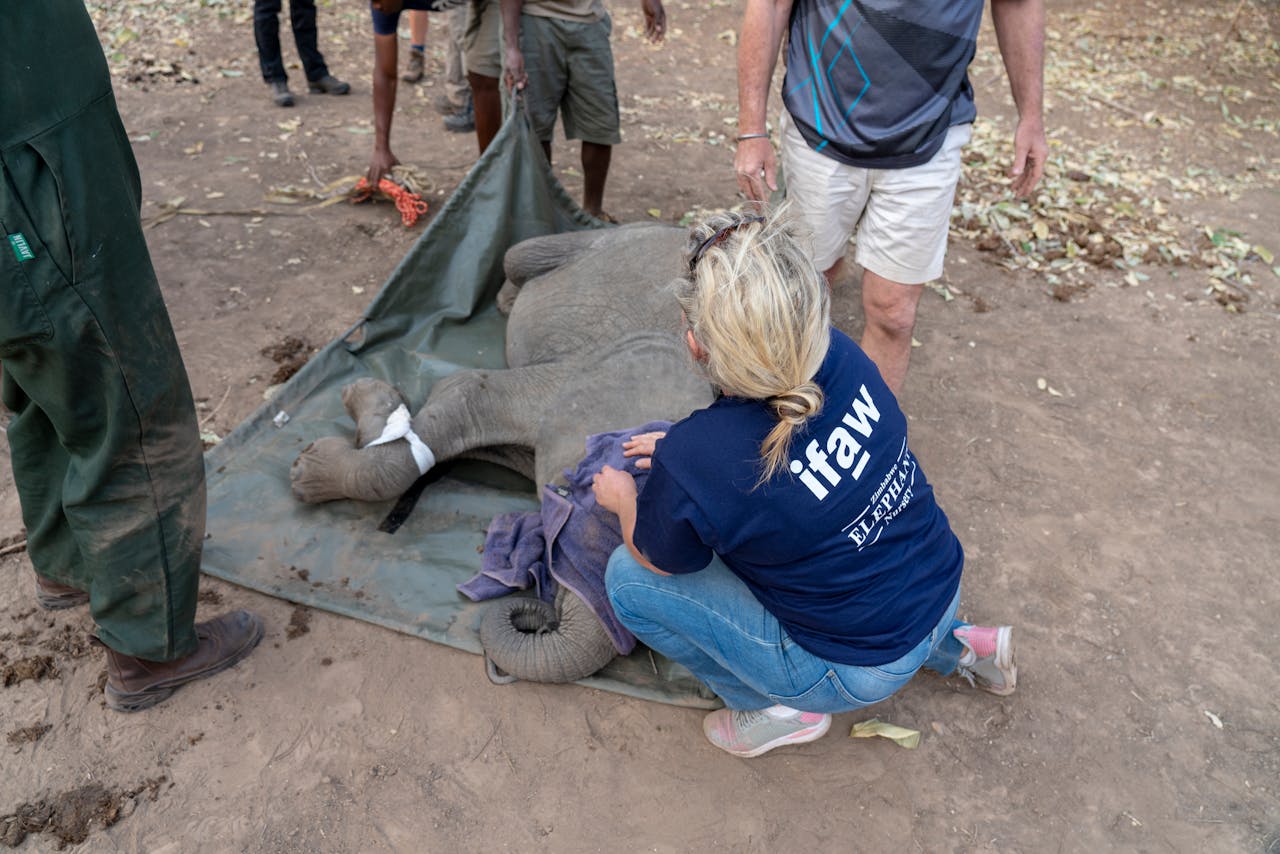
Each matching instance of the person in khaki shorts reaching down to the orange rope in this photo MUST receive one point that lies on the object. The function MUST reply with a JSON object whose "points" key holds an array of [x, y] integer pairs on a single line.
{"points": [[482, 58]]}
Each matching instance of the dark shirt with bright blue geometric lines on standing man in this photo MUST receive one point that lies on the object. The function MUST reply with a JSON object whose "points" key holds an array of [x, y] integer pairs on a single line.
{"points": [[876, 84]]}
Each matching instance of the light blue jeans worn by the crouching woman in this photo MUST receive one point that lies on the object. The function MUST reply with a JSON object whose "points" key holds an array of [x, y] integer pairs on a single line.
{"points": [[712, 624]]}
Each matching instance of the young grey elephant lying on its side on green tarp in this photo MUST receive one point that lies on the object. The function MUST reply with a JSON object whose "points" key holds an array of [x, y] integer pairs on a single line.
{"points": [[595, 344]]}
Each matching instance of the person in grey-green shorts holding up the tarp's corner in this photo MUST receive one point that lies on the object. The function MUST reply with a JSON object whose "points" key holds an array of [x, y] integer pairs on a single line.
{"points": [[561, 51]]}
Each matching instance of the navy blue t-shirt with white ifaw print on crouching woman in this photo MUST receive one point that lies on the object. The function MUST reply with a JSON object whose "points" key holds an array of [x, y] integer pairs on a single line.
{"points": [[848, 550]]}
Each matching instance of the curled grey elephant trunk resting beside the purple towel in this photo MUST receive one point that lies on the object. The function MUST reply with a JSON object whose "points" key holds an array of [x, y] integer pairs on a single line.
{"points": [[542, 643]]}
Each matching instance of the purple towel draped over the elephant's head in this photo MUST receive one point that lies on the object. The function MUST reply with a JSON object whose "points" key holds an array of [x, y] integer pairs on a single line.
{"points": [[568, 542]]}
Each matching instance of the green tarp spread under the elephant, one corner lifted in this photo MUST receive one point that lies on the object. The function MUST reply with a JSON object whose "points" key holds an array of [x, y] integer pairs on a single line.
{"points": [[433, 317]]}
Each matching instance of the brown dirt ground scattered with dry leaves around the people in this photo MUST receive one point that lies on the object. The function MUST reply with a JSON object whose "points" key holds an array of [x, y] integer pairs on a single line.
{"points": [[1103, 436]]}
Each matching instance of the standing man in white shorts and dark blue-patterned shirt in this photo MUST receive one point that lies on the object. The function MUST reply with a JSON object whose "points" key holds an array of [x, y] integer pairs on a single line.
{"points": [[879, 107]]}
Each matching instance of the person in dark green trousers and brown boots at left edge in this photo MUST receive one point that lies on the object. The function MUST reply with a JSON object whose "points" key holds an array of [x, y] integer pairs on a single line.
{"points": [[104, 439]]}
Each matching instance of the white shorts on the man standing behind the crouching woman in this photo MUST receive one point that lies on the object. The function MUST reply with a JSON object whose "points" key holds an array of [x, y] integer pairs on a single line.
{"points": [[899, 217]]}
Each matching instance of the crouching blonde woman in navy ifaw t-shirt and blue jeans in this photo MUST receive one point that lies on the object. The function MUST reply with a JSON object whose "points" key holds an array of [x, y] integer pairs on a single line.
{"points": [[788, 549]]}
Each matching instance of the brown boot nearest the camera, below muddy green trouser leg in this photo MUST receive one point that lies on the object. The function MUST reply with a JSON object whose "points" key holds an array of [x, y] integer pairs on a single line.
{"points": [[134, 684]]}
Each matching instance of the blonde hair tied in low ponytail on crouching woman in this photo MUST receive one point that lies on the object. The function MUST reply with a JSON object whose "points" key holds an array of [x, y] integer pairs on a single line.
{"points": [[760, 309]]}
